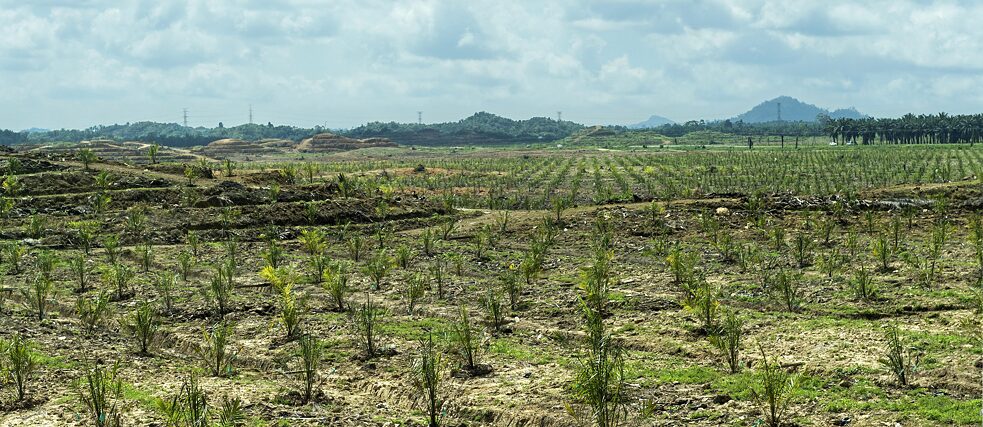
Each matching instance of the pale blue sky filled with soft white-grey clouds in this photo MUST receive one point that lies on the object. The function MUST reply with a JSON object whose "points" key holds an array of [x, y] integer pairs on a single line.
{"points": [[340, 63]]}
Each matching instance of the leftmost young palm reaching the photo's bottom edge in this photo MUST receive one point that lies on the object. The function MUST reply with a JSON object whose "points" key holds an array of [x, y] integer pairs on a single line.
{"points": [[101, 392]]}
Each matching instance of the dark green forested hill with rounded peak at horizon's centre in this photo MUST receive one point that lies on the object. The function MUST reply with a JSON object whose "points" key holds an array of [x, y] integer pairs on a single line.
{"points": [[480, 129]]}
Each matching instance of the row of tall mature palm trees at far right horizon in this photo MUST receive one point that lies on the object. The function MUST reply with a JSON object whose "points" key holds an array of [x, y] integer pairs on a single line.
{"points": [[910, 129]]}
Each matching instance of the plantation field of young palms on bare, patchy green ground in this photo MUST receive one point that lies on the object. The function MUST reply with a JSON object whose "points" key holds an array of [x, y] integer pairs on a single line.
{"points": [[495, 287]]}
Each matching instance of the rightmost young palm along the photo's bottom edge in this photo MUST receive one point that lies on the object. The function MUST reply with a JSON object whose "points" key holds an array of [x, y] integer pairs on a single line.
{"points": [[773, 390]]}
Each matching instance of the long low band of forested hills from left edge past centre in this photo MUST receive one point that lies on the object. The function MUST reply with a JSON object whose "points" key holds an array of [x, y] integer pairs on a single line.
{"points": [[479, 129]]}
